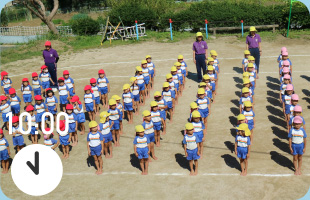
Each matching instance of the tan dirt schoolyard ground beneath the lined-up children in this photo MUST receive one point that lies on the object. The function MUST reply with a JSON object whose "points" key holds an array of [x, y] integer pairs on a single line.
{"points": [[270, 173]]}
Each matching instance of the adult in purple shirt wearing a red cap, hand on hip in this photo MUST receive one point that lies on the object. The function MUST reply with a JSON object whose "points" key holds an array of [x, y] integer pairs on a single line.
{"points": [[51, 58]]}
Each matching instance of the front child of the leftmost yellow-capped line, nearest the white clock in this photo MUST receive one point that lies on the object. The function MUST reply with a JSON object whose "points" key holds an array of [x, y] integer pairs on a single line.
{"points": [[95, 142]]}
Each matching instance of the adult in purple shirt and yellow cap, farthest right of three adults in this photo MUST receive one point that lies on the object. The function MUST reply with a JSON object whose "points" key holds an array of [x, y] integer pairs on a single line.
{"points": [[253, 44]]}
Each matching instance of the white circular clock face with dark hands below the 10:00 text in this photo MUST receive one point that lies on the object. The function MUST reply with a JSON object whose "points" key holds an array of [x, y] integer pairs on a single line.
{"points": [[36, 170]]}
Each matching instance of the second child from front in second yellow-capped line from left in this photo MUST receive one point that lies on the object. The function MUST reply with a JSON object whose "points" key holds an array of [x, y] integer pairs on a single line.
{"points": [[149, 132]]}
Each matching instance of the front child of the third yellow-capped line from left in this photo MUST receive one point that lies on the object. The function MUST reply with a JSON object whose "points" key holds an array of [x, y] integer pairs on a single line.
{"points": [[191, 148]]}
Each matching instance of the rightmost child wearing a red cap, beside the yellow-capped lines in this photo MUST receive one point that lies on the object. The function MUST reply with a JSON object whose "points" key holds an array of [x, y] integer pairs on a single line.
{"points": [[104, 87]]}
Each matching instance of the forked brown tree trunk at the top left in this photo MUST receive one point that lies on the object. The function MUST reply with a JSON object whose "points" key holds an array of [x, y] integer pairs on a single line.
{"points": [[37, 7]]}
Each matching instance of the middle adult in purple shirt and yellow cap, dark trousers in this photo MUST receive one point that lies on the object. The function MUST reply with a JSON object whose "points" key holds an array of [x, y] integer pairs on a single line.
{"points": [[200, 53]]}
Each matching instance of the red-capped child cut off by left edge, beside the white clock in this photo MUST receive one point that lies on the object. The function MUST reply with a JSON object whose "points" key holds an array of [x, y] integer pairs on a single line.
{"points": [[4, 153]]}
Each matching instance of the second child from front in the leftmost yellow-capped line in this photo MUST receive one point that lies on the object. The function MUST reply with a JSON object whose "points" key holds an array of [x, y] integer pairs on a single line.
{"points": [[105, 126]]}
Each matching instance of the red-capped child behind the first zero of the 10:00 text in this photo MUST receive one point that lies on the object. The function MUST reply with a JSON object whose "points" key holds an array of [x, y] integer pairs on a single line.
{"points": [[18, 139]]}
